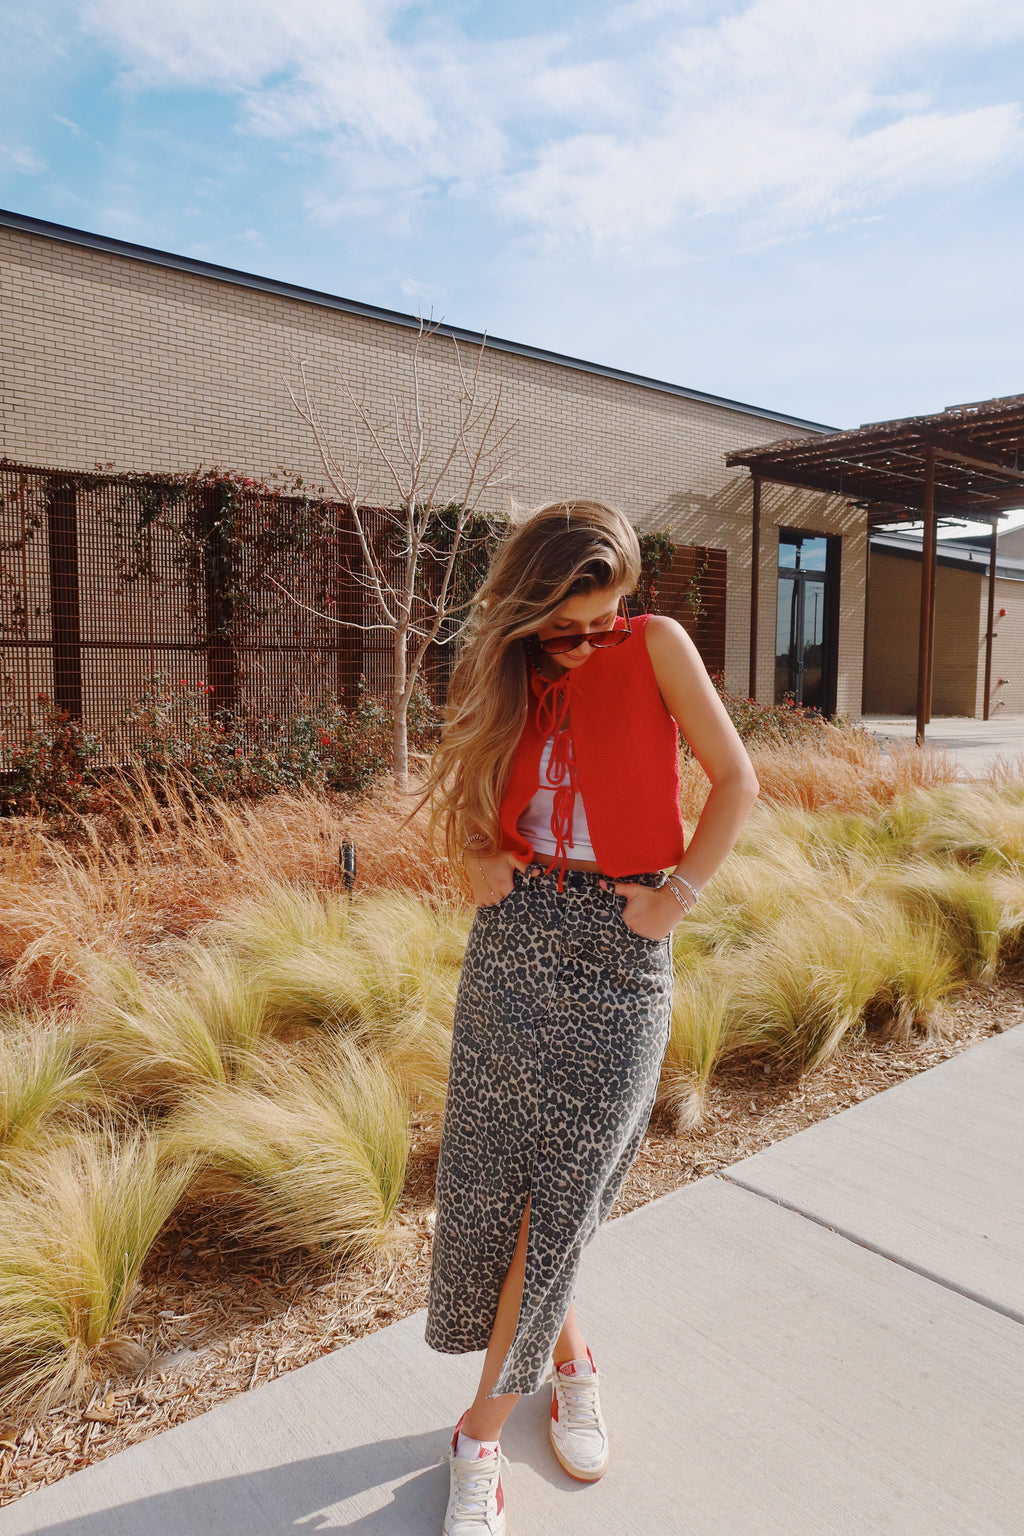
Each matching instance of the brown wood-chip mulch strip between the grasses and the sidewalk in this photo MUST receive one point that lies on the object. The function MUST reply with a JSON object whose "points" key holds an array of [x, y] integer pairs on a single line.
{"points": [[219, 1319]]}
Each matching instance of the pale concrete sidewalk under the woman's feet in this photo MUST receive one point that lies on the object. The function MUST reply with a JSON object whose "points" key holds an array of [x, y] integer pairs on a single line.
{"points": [[825, 1339]]}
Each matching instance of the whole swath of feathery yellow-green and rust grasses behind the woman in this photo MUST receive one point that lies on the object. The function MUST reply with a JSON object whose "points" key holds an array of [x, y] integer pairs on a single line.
{"points": [[206, 976]]}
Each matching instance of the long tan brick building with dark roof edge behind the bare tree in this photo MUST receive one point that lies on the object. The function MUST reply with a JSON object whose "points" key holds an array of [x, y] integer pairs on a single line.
{"points": [[153, 362]]}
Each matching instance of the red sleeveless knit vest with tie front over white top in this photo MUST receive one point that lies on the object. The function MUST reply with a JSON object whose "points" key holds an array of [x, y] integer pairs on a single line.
{"points": [[627, 763]]}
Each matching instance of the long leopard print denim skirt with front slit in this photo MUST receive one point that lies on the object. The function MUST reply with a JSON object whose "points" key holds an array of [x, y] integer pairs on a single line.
{"points": [[561, 1025]]}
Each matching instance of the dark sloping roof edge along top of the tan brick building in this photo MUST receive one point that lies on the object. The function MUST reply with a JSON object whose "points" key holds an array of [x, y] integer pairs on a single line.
{"points": [[391, 317]]}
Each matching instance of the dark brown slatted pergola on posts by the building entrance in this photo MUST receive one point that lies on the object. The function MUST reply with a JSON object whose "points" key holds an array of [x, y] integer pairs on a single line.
{"points": [[966, 462]]}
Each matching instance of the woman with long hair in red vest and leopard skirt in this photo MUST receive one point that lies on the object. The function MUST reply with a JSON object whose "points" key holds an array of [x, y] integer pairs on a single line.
{"points": [[557, 784]]}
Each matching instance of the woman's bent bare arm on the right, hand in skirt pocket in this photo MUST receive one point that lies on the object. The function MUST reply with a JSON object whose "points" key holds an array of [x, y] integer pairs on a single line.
{"points": [[702, 718]]}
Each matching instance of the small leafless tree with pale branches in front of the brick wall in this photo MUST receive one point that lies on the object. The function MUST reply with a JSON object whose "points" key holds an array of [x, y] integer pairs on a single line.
{"points": [[411, 463]]}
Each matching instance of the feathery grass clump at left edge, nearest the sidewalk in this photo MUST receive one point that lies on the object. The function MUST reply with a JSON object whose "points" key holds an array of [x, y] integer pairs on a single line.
{"points": [[76, 1226]]}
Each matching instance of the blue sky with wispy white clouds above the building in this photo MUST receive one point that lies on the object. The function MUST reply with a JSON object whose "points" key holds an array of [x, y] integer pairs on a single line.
{"points": [[808, 205]]}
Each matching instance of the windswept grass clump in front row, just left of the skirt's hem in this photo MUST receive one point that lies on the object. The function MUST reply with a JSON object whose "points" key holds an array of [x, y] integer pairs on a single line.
{"points": [[311, 1153]]}
